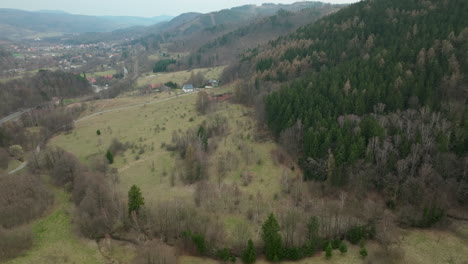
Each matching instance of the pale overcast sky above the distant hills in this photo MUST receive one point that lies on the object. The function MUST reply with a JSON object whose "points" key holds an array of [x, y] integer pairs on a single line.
{"points": [[145, 8]]}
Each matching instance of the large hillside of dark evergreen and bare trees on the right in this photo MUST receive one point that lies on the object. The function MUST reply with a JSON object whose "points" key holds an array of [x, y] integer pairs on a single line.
{"points": [[373, 97]]}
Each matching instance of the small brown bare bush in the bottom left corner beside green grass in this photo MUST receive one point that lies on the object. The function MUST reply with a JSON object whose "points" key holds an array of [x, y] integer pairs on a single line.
{"points": [[14, 242]]}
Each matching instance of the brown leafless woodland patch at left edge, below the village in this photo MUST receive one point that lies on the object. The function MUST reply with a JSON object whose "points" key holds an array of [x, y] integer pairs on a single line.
{"points": [[40, 88]]}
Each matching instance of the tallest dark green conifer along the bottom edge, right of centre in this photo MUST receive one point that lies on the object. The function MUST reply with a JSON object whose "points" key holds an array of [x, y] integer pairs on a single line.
{"points": [[272, 238]]}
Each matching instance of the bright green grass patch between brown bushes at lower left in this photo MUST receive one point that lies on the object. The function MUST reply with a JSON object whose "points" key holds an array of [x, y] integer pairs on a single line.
{"points": [[55, 241]]}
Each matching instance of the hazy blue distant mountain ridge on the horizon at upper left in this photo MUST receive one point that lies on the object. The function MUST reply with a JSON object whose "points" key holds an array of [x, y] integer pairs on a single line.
{"points": [[18, 24]]}
